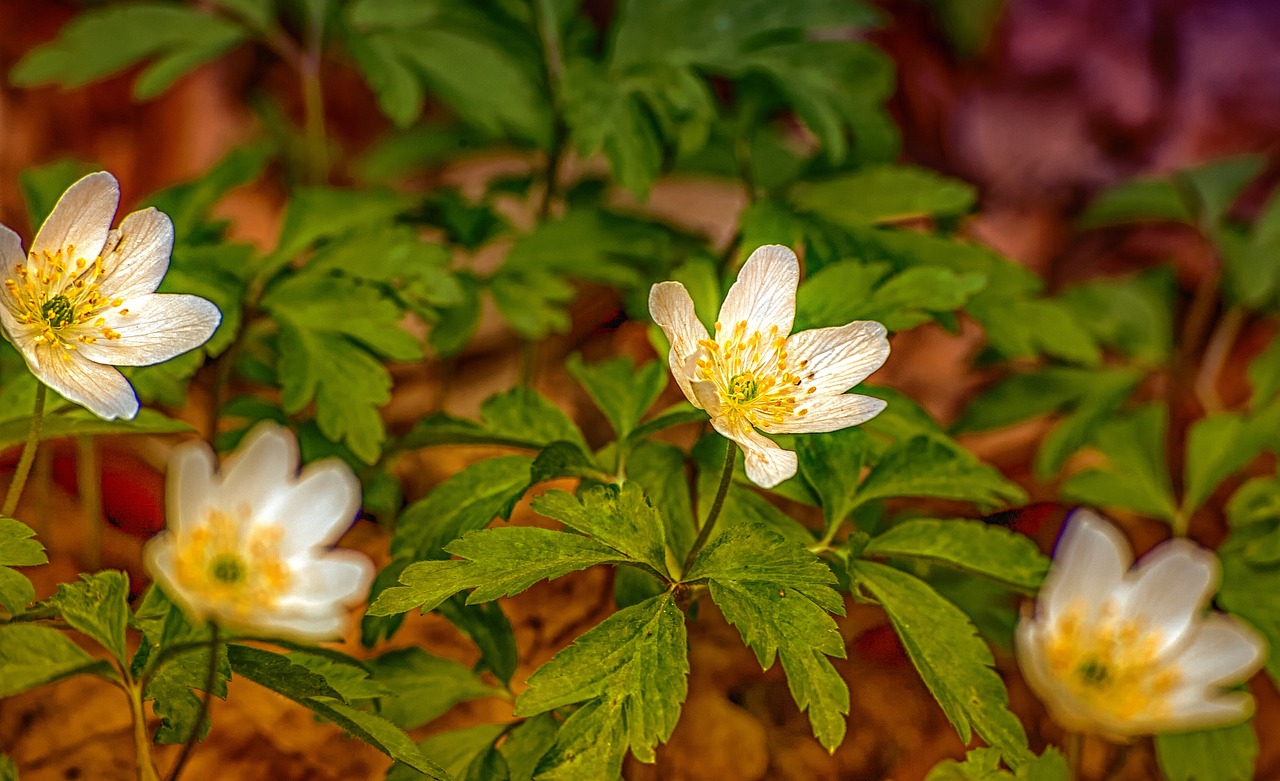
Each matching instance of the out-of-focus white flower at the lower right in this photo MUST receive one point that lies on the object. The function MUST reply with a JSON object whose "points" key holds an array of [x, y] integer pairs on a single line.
{"points": [[1121, 652]]}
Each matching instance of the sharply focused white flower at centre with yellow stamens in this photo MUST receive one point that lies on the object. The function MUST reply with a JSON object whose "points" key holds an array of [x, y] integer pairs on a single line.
{"points": [[755, 376]]}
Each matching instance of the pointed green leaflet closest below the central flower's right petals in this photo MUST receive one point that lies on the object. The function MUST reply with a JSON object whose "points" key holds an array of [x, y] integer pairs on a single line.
{"points": [[926, 467]]}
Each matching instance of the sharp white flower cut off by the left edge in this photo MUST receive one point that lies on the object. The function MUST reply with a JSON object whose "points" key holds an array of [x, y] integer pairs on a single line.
{"points": [[85, 302]]}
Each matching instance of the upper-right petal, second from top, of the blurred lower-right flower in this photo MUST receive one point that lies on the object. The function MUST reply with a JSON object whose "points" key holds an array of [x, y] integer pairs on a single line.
{"points": [[1171, 588]]}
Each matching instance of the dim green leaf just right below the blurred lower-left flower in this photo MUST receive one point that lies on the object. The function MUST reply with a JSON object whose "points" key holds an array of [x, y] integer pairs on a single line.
{"points": [[424, 686]]}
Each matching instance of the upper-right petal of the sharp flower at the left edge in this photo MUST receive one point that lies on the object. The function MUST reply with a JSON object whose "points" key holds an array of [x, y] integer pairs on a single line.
{"points": [[139, 255]]}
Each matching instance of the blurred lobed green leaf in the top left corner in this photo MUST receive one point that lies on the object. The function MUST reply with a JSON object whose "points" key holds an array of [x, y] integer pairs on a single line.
{"points": [[181, 38]]}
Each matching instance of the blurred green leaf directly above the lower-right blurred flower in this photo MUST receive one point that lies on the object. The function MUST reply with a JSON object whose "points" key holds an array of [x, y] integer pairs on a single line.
{"points": [[1136, 477]]}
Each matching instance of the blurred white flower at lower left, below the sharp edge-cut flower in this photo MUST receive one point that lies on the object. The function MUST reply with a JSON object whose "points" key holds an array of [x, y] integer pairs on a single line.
{"points": [[250, 549]]}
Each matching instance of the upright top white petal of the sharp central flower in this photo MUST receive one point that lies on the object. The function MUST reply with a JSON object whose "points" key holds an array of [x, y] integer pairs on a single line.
{"points": [[765, 293]]}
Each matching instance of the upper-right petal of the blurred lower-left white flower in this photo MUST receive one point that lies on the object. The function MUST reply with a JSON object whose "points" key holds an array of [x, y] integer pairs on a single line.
{"points": [[317, 510]]}
